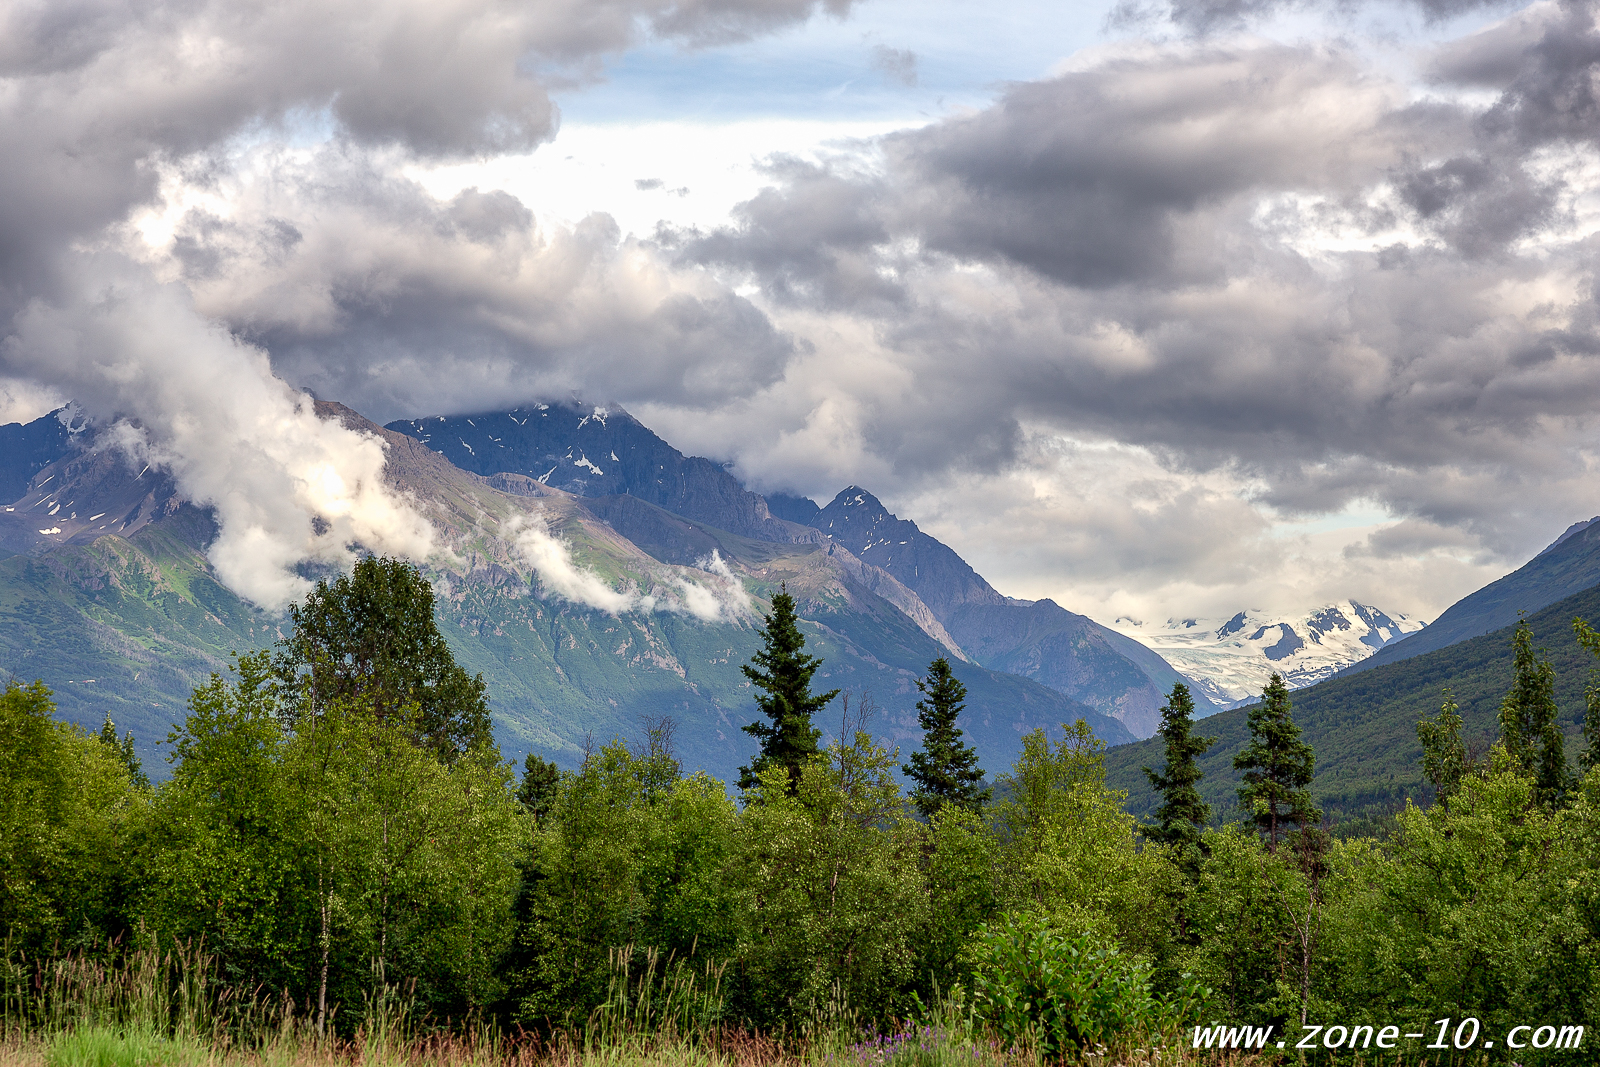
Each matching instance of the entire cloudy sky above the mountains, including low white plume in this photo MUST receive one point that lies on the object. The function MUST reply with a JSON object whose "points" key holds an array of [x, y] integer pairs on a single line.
{"points": [[1156, 310]]}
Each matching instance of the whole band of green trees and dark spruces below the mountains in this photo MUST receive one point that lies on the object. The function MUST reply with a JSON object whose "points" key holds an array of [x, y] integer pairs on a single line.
{"points": [[340, 828]]}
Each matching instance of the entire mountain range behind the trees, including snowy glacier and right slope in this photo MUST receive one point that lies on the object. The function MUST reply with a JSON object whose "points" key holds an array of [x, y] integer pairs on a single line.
{"points": [[106, 594]]}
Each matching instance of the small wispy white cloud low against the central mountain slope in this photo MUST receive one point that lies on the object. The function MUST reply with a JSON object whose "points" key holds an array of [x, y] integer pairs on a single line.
{"points": [[714, 596]]}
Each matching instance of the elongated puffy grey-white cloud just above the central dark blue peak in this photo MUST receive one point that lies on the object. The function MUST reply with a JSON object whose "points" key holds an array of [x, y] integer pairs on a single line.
{"points": [[367, 289]]}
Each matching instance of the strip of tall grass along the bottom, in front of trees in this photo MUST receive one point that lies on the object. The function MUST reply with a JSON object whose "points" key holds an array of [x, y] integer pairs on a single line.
{"points": [[148, 1009]]}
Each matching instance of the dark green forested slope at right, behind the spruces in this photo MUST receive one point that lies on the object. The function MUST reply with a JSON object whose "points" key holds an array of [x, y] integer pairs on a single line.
{"points": [[1364, 725]]}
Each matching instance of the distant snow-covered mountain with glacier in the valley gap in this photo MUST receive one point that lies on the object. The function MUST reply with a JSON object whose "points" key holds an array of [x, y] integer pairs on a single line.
{"points": [[1231, 660]]}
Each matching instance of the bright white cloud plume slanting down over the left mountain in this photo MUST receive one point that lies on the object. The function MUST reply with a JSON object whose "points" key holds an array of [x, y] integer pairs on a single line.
{"points": [[193, 401]]}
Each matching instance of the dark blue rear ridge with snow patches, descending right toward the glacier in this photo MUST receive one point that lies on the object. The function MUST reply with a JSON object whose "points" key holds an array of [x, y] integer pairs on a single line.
{"points": [[607, 457]]}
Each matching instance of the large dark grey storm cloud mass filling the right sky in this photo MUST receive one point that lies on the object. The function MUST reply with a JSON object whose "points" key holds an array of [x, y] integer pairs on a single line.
{"points": [[1241, 257]]}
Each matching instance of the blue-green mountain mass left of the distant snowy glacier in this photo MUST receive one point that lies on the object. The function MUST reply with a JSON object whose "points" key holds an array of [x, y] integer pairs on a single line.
{"points": [[106, 594]]}
